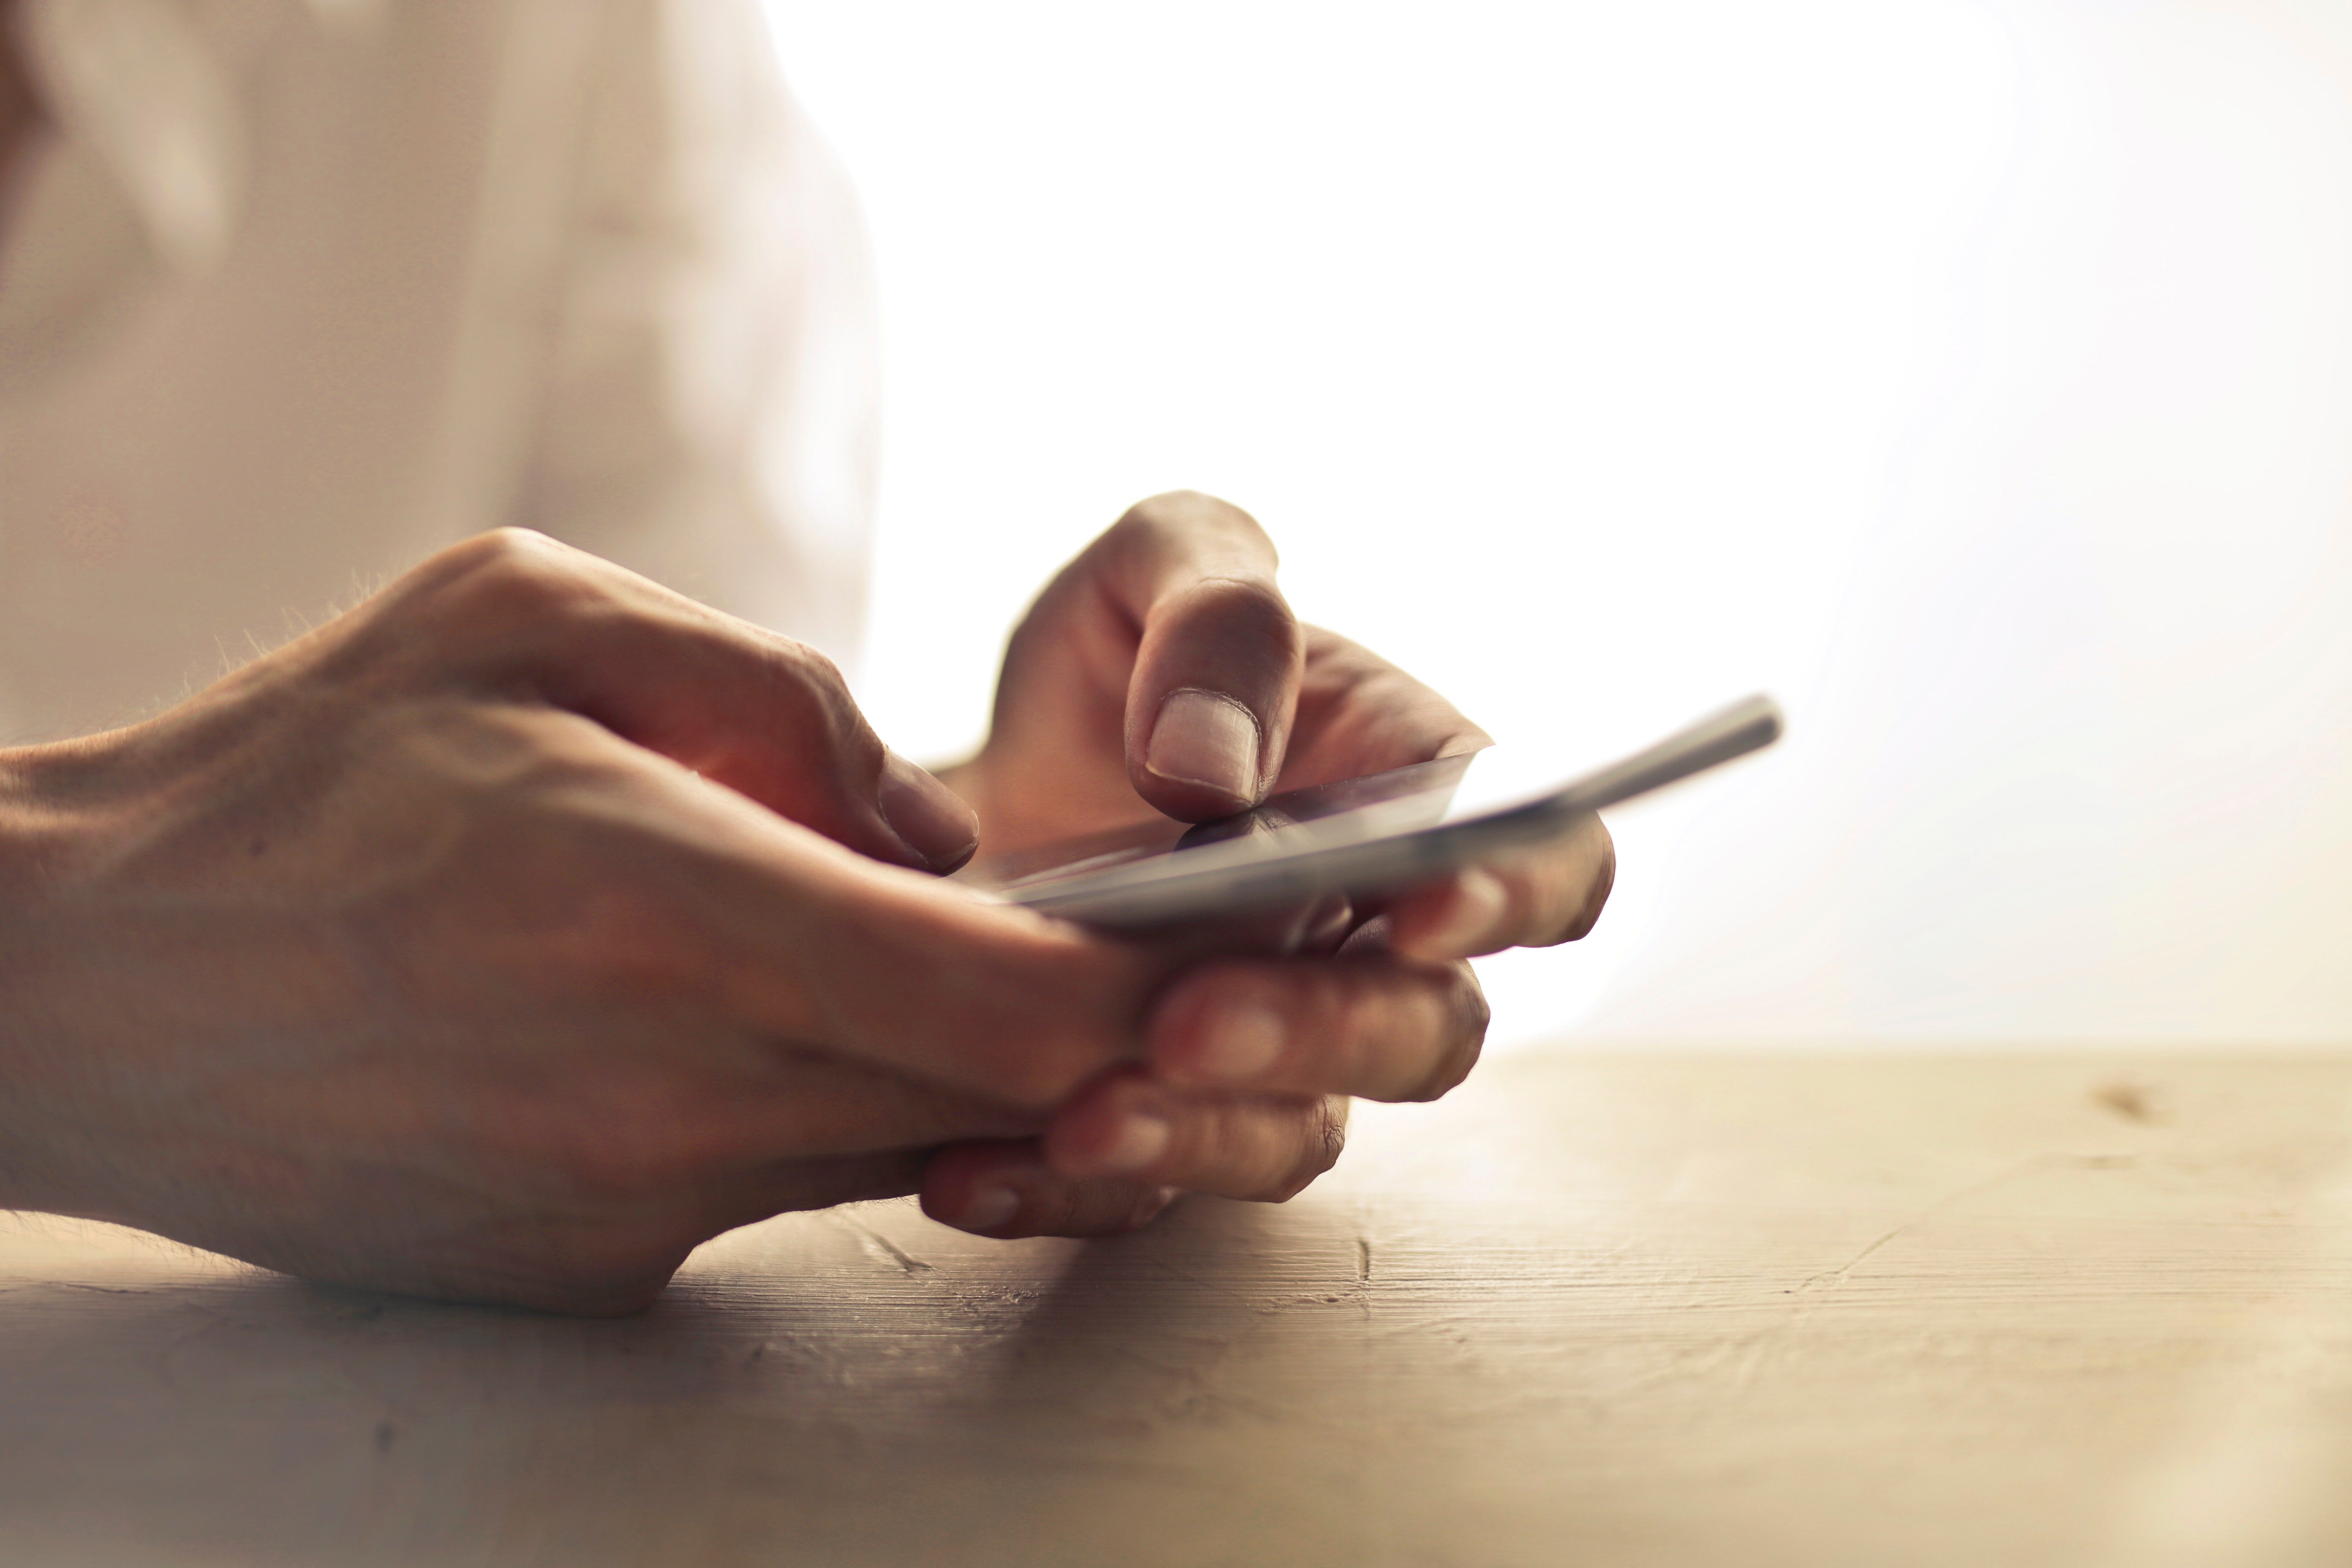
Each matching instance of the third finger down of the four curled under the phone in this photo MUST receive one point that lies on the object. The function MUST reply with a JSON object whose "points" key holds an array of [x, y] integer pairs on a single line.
{"points": [[1135, 1130]]}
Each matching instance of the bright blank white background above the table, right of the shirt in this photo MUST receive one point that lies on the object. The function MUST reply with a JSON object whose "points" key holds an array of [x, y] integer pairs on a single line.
{"points": [[1975, 377]]}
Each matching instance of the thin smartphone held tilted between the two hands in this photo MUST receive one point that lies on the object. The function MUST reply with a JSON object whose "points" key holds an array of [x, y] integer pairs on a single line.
{"points": [[1361, 836]]}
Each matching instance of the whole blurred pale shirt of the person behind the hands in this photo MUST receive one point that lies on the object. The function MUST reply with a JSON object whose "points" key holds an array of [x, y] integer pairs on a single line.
{"points": [[302, 290]]}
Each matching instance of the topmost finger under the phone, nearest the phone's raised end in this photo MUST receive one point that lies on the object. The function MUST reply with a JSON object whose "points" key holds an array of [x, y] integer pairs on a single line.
{"points": [[1542, 899]]}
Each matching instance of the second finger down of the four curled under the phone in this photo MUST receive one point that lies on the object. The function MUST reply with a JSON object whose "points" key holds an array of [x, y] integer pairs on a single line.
{"points": [[1363, 1024]]}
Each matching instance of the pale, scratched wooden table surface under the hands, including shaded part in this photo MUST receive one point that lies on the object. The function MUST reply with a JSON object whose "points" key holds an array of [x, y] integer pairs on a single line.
{"points": [[1770, 1308]]}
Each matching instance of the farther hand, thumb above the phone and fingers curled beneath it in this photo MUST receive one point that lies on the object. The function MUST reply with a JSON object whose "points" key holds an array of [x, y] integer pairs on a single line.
{"points": [[1165, 671]]}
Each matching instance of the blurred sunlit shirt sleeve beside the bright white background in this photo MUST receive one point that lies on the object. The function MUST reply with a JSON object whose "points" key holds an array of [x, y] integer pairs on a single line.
{"points": [[709, 382]]}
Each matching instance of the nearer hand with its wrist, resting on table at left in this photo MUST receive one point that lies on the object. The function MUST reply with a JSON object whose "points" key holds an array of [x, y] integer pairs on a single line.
{"points": [[467, 949]]}
